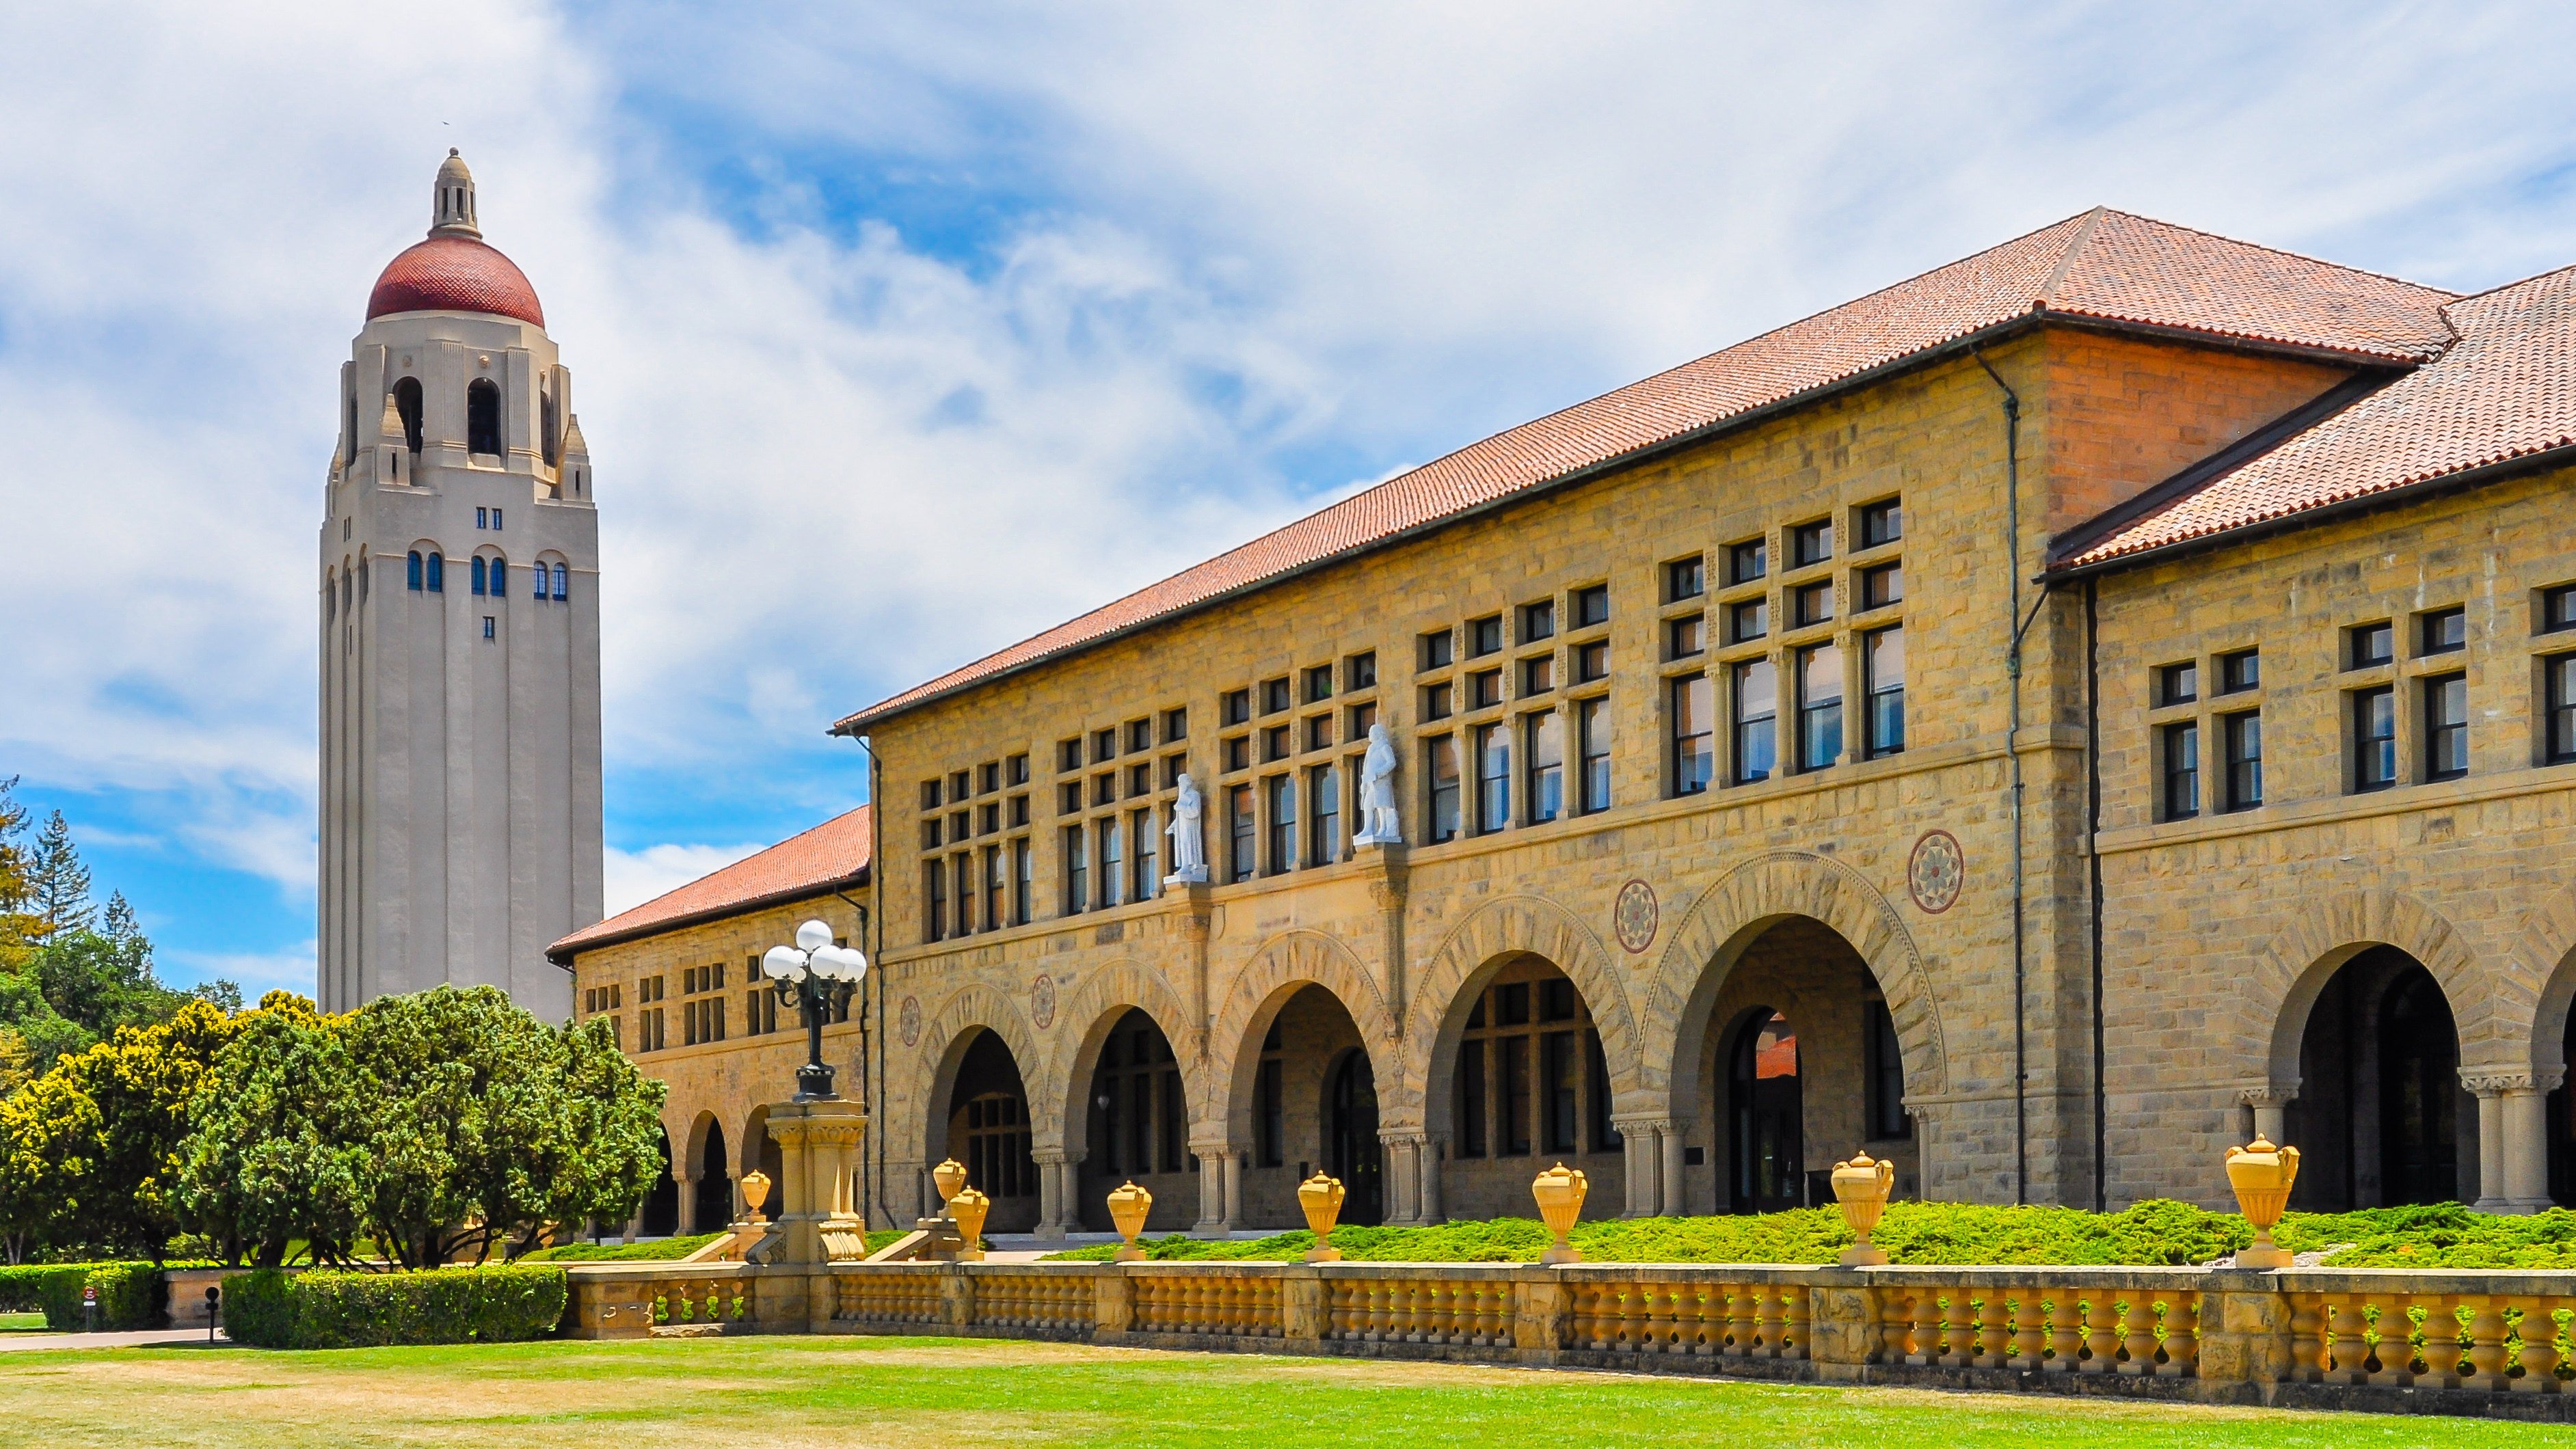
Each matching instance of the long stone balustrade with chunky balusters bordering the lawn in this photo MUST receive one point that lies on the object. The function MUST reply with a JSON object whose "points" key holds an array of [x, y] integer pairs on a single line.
{"points": [[2456, 1342]]}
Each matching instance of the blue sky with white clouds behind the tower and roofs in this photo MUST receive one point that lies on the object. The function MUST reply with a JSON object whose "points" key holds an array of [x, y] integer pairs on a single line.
{"points": [[905, 333]]}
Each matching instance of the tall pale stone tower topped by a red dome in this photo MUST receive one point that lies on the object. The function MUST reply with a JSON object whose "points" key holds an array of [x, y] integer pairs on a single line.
{"points": [[460, 637]]}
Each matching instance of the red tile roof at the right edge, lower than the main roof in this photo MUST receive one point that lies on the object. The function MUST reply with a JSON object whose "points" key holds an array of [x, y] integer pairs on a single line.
{"points": [[2503, 392]]}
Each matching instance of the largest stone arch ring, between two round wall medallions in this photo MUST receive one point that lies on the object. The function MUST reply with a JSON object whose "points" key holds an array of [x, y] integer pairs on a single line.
{"points": [[1745, 902]]}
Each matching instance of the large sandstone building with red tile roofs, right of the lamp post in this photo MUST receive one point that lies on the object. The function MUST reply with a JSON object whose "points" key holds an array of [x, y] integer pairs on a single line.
{"points": [[2041, 724]]}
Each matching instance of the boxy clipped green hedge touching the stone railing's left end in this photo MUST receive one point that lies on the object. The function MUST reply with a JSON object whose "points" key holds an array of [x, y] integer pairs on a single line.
{"points": [[365, 1311]]}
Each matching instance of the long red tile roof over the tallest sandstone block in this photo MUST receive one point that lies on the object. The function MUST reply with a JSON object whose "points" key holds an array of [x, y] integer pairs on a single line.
{"points": [[2101, 266]]}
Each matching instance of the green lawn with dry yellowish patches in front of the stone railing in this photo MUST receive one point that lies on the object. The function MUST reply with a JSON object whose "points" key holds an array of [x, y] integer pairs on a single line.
{"points": [[820, 1394]]}
